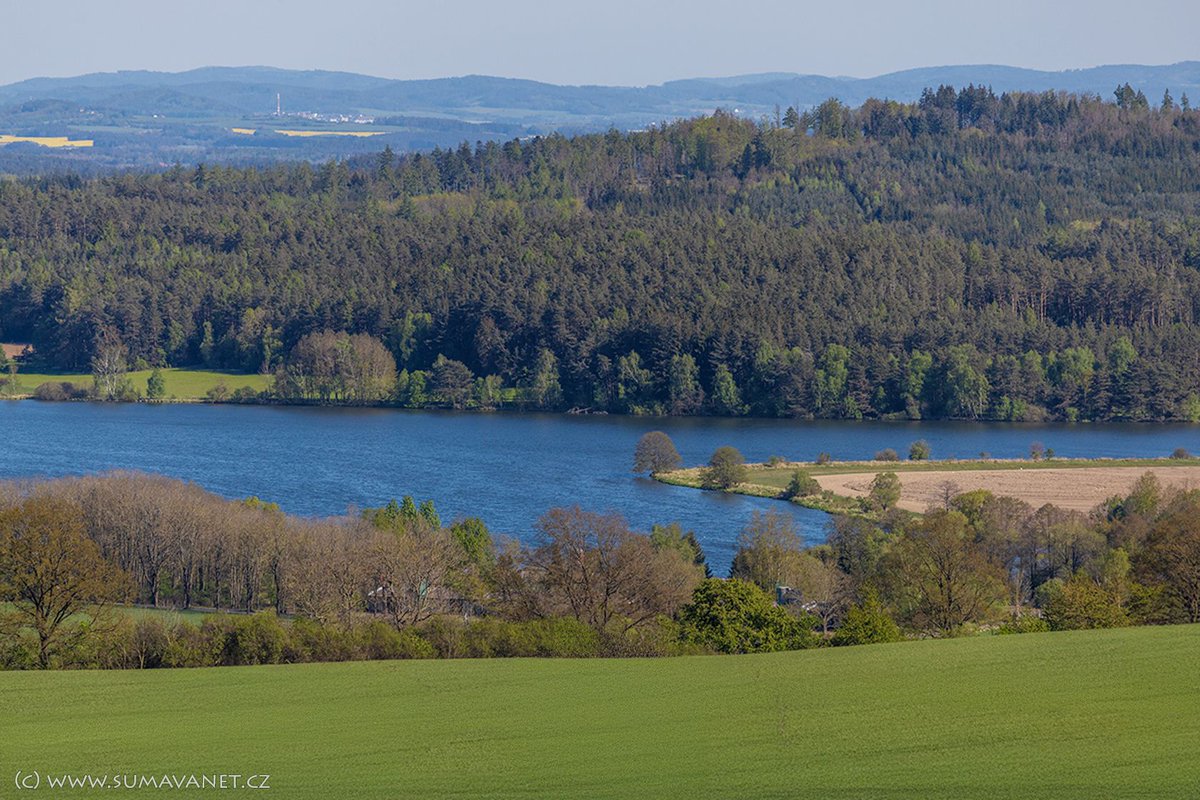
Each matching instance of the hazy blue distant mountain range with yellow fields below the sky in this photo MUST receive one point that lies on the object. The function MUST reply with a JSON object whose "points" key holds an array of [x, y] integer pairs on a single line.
{"points": [[147, 119]]}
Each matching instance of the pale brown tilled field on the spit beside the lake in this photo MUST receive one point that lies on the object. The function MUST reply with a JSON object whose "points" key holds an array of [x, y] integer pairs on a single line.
{"points": [[1078, 489]]}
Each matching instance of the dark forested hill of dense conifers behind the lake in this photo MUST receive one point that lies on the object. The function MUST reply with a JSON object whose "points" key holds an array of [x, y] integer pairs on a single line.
{"points": [[968, 256]]}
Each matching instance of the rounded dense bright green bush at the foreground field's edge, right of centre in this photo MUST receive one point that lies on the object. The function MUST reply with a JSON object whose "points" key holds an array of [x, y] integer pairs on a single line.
{"points": [[739, 617]]}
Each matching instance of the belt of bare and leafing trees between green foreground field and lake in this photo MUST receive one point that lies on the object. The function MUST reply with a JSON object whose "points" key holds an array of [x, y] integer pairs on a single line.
{"points": [[398, 582]]}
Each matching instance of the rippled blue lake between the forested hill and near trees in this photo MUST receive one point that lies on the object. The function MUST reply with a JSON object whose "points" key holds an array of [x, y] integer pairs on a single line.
{"points": [[506, 468]]}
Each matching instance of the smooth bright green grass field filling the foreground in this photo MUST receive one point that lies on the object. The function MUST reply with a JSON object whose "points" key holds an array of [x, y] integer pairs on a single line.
{"points": [[1096, 714]]}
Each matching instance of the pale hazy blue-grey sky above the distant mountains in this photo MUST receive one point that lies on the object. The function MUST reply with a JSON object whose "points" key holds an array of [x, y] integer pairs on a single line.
{"points": [[627, 43]]}
